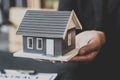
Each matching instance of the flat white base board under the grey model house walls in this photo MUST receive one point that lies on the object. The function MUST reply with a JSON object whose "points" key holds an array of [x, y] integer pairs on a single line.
{"points": [[65, 57]]}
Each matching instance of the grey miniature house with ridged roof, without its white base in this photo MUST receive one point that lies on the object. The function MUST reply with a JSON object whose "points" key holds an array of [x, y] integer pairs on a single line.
{"points": [[48, 32]]}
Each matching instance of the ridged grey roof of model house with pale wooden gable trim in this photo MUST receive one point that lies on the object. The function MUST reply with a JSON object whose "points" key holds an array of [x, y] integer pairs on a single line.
{"points": [[51, 24]]}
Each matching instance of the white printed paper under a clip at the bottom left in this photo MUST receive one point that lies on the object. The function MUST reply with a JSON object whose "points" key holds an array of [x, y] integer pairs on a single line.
{"points": [[19, 76]]}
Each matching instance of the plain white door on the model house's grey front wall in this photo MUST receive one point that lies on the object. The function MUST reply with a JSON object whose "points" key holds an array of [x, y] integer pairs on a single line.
{"points": [[50, 47]]}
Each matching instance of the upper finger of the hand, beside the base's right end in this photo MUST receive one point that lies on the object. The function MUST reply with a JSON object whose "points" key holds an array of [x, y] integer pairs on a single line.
{"points": [[93, 45]]}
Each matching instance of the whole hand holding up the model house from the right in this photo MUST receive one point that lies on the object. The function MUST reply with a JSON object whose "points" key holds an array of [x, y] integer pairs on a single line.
{"points": [[89, 43]]}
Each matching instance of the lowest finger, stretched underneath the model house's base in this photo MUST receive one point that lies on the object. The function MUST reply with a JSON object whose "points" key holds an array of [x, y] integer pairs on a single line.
{"points": [[86, 58]]}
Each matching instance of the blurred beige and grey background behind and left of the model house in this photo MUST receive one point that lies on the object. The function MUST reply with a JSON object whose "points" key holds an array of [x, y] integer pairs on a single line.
{"points": [[11, 13]]}
